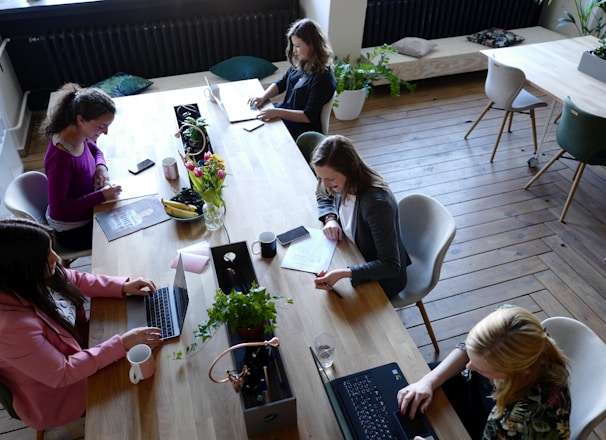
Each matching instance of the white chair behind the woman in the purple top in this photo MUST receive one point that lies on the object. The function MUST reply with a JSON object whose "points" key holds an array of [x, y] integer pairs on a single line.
{"points": [[27, 197]]}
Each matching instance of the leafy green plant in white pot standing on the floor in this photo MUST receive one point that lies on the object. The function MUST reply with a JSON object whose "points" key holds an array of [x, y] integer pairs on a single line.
{"points": [[355, 81]]}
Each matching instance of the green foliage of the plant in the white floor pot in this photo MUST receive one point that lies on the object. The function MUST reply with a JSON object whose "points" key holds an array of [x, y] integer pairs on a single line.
{"points": [[362, 73]]}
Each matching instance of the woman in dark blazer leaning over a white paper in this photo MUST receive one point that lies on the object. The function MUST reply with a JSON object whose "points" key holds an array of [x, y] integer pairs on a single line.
{"points": [[355, 202]]}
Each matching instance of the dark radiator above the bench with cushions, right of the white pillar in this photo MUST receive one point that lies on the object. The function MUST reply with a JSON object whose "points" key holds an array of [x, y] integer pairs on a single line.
{"points": [[389, 20]]}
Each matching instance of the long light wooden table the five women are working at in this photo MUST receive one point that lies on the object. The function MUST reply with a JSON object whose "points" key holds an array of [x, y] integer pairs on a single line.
{"points": [[269, 187]]}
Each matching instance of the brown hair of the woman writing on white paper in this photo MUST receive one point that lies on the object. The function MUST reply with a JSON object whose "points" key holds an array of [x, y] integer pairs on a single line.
{"points": [[339, 153]]}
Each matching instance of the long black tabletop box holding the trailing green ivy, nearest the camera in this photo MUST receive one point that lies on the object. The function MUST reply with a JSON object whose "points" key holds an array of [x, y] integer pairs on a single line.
{"points": [[259, 416]]}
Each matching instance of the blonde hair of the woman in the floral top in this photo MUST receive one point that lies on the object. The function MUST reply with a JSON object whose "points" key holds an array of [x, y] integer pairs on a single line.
{"points": [[512, 341]]}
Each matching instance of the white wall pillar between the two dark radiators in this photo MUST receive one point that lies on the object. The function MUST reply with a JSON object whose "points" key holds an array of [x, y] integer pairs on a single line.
{"points": [[342, 20]]}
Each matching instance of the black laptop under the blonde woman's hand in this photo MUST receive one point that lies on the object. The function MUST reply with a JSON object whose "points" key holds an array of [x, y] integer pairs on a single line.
{"points": [[366, 406]]}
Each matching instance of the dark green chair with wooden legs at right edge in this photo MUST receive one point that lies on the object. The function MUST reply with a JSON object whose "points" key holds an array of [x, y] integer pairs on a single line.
{"points": [[581, 135]]}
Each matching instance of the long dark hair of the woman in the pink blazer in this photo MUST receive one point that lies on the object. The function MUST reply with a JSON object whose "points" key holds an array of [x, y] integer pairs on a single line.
{"points": [[24, 269]]}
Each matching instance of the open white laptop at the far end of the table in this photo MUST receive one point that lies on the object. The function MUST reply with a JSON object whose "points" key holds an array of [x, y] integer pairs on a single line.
{"points": [[232, 98]]}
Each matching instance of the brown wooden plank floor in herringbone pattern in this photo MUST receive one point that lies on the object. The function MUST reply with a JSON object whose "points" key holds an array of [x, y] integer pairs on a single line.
{"points": [[510, 246]]}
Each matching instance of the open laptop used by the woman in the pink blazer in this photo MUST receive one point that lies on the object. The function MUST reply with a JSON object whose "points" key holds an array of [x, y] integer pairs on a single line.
{"points": [[165, 308]]}
